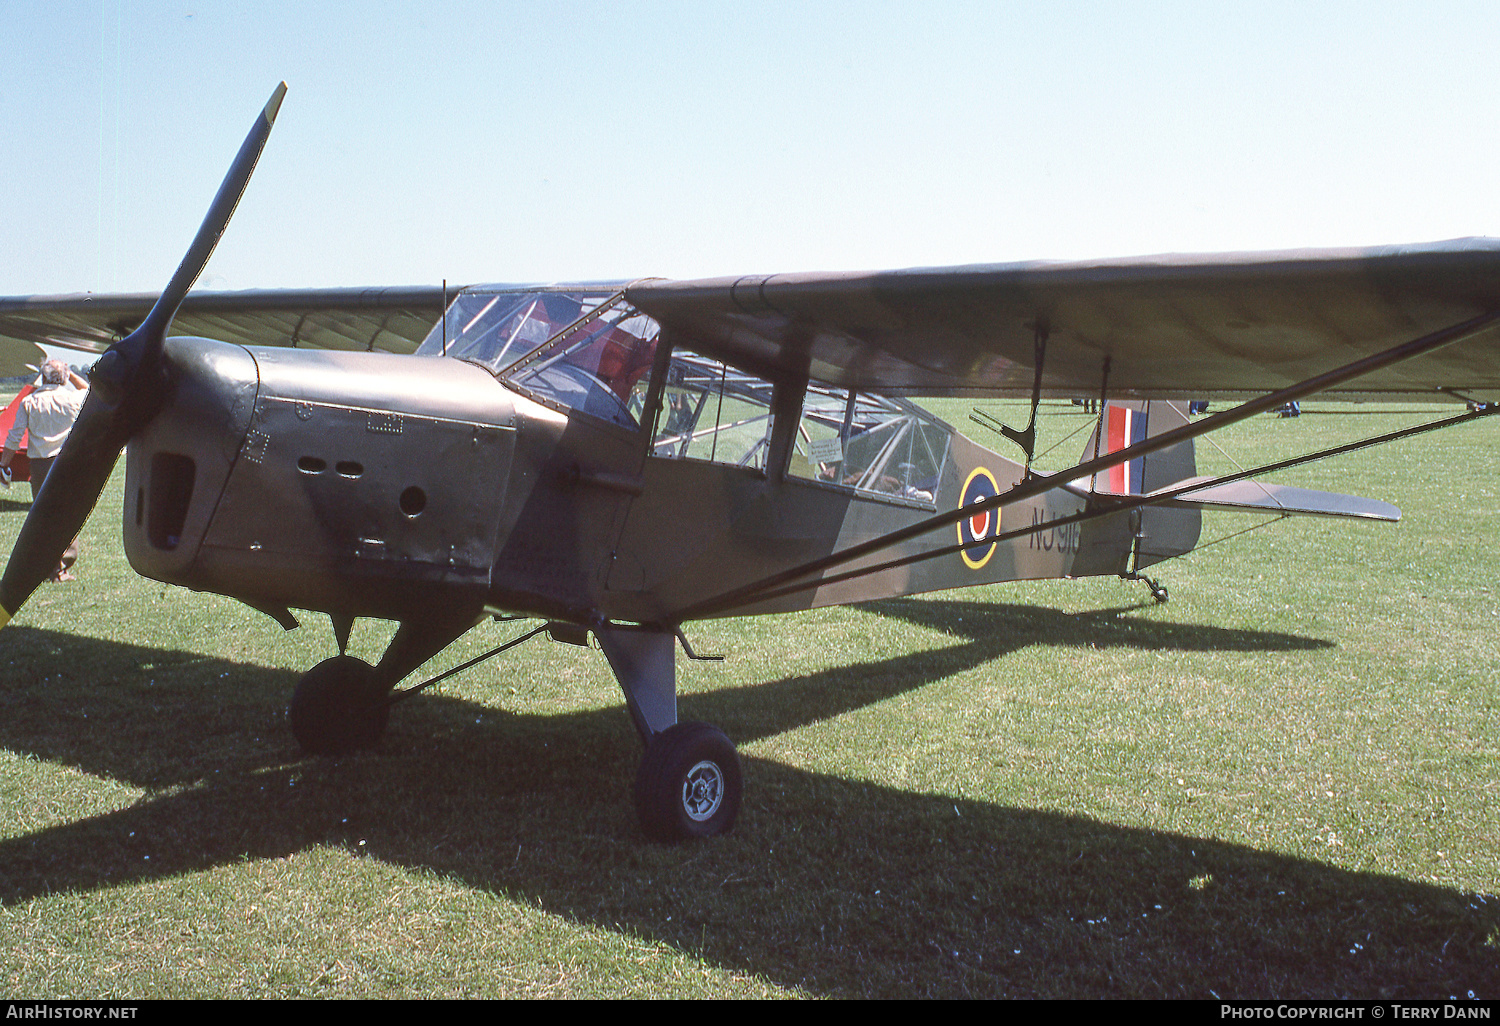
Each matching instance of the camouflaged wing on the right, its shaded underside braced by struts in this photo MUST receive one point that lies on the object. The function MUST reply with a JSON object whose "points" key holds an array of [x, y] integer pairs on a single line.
{"points": [[1180, 328]]}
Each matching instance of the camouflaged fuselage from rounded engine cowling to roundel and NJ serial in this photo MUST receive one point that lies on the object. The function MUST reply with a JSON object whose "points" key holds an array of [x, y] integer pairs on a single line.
{"points": [[374, 485]]}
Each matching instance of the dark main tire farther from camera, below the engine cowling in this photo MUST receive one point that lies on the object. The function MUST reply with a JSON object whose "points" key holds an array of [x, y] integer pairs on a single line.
{"points": [[338, 707]]}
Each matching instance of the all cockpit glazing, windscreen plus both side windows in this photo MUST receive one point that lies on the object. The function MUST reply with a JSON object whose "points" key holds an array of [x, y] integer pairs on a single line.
{"points": [[590, 350]]}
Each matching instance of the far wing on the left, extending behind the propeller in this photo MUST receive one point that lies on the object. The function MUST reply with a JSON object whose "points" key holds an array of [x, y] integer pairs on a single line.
{"points": [[388, 320]]}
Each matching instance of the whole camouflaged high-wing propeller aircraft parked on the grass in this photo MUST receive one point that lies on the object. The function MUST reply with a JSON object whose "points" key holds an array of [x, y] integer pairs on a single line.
{"points": [[625, 460]]}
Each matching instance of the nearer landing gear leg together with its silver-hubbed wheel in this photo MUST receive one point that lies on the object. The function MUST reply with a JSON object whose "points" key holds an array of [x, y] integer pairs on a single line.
{"points": [[689, 784]]}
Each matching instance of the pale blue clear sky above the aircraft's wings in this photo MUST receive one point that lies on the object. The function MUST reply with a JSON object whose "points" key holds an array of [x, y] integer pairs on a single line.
{"points": [[545, 142]]}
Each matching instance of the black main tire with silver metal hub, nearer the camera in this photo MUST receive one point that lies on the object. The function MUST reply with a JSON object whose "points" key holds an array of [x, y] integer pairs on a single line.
{"points": [[689, 784]]}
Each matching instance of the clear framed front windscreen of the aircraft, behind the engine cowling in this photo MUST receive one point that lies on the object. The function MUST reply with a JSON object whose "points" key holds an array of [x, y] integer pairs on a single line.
{"points": [[581, 349]]}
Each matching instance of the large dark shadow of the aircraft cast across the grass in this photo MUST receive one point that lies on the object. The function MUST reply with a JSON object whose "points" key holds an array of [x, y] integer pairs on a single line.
{"points": [[968, 898]]}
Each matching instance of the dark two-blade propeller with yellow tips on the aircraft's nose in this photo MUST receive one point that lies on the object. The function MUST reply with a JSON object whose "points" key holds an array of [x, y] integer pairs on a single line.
{"points": [[128, 388]]}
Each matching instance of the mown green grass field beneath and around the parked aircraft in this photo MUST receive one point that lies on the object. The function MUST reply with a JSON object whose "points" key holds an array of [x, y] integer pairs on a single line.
{"points": [[1282, 784]]}
